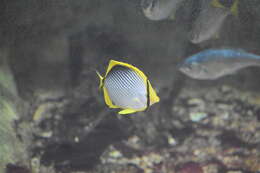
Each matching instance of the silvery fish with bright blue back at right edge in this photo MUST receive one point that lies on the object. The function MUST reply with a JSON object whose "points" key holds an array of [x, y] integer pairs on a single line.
{"points": [[214, 63]]}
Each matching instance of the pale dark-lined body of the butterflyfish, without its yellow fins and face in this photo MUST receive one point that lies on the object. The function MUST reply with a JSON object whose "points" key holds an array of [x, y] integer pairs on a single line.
{"points": [[126, 89]]}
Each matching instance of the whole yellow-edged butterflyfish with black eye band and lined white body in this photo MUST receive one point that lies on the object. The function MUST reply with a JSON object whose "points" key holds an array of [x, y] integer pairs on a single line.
{"points": [[127, 87]]}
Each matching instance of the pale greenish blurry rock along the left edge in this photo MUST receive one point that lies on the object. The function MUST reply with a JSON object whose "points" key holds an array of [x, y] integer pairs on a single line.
{"points": [[12, 150]]}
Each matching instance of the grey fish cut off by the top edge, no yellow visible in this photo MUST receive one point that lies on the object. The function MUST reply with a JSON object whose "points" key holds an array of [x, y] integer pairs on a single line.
{"points": [[160, 9]]}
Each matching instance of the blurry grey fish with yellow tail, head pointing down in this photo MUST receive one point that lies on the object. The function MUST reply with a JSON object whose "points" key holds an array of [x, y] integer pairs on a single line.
{"points": [[210, 20]]}
